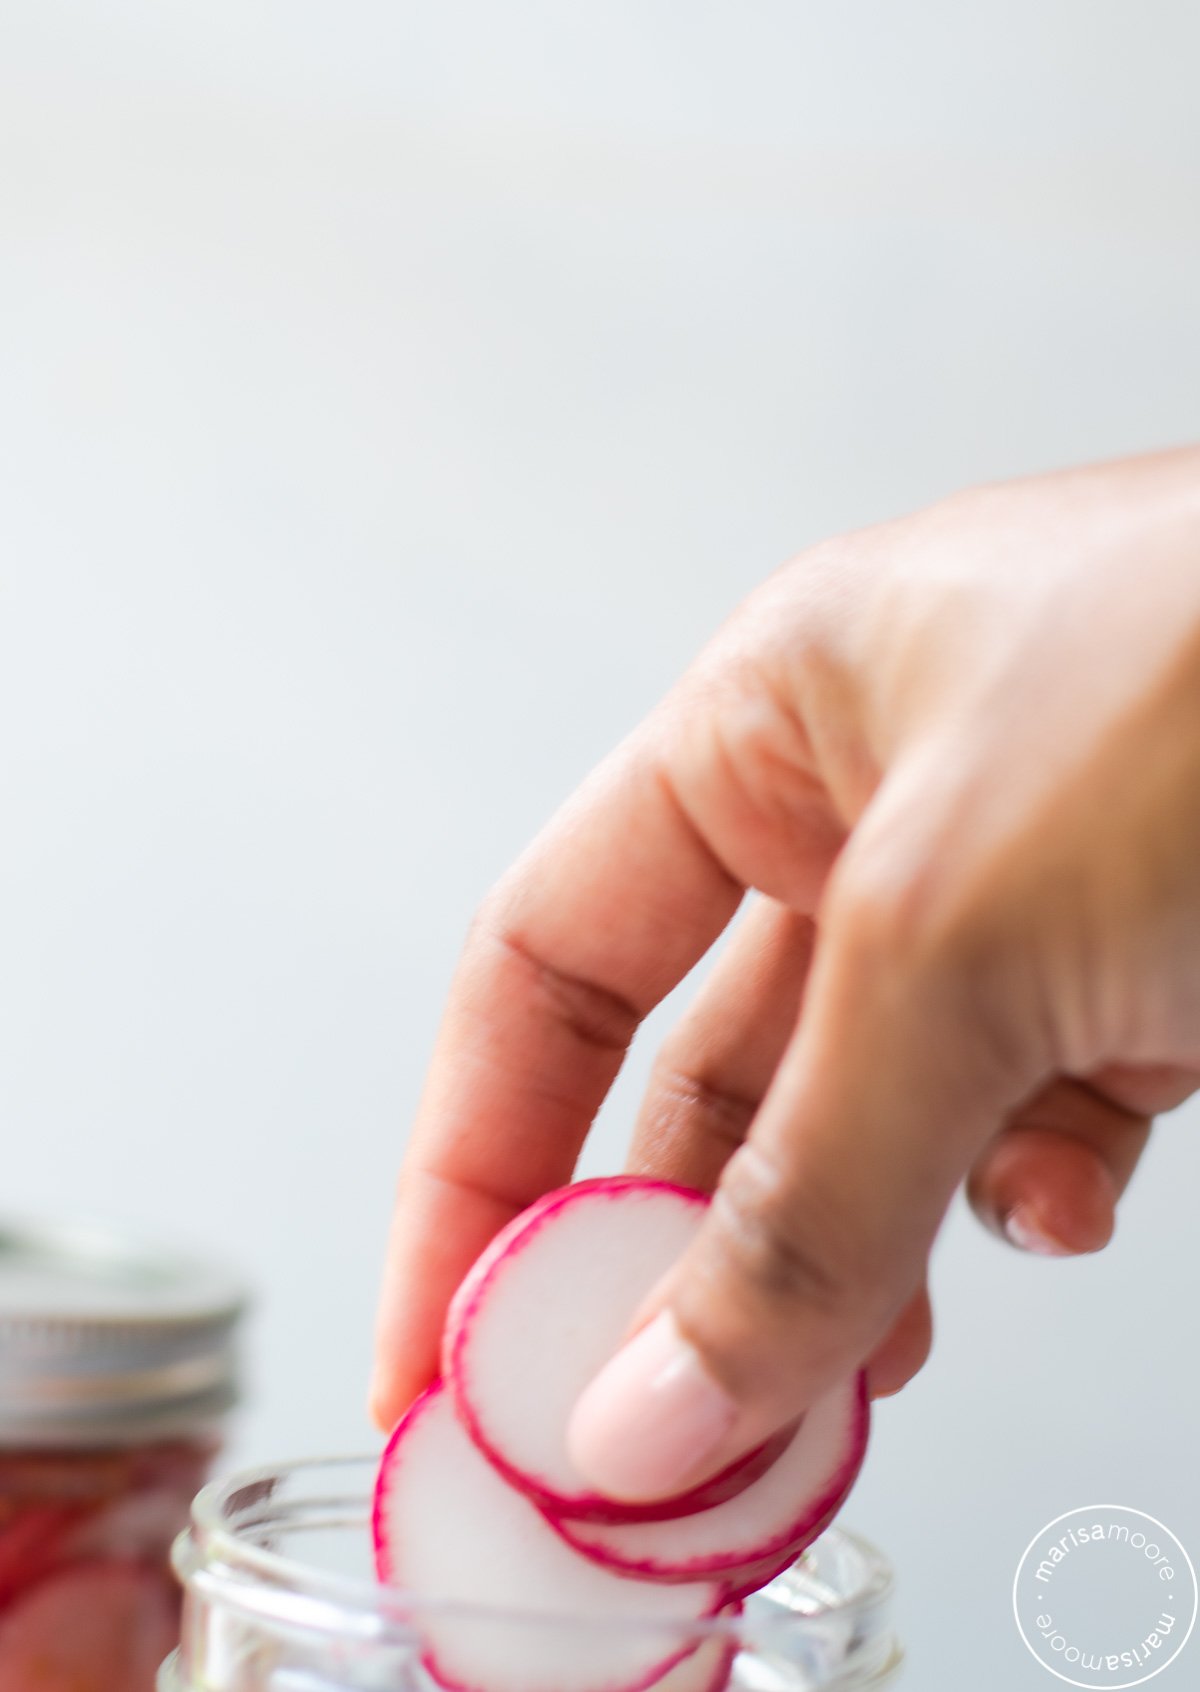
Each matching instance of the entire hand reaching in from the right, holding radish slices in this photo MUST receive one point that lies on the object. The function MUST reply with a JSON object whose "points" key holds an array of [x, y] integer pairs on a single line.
{"points": [[959, 757]]}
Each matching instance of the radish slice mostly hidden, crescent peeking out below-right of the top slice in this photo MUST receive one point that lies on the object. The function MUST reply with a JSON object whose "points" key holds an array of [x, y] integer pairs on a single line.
{"points": [[774, 1519]]}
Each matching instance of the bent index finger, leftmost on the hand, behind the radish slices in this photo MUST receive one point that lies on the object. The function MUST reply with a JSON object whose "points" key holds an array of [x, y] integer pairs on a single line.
{"points": [[607, 911]]}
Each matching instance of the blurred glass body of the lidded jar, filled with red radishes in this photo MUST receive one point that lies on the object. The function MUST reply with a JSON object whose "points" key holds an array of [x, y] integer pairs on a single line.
{"points": [[87, 1596]]}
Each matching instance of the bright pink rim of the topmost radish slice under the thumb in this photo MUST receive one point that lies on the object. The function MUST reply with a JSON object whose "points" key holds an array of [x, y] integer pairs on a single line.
{"points": [[581, 1507]]}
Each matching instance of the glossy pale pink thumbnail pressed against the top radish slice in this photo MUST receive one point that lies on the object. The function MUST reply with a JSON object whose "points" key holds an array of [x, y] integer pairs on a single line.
{"points": [[651, 1419]]}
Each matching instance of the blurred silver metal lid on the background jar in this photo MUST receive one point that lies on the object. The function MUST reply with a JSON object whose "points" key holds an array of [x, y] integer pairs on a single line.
{"points": [[104, 1341]]}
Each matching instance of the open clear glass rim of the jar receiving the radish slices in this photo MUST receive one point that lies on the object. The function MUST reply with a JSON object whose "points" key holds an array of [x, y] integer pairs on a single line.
{"points": [[233, 1556]]}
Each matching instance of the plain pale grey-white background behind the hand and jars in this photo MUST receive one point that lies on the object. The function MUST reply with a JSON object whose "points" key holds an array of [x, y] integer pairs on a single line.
{"points": [[392, 398]]}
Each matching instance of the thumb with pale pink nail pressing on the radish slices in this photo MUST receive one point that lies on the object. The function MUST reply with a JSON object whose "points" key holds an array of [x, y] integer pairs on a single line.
{"points": [[822, 1226]]}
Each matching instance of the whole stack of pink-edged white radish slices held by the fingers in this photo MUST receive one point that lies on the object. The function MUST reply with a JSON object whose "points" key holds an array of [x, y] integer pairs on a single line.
{"points": [[482, 1515]]}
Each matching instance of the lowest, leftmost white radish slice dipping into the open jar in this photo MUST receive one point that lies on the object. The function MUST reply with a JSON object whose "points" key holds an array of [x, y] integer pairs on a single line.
{"points": [[454, 1535]]}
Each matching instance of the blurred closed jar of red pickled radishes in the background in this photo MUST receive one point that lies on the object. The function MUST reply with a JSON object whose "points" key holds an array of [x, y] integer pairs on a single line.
{"points": [[118, 1370]]}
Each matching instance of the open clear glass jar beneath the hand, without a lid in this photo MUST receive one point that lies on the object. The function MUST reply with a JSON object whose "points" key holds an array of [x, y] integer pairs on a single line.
{"points": [[277, 1571]]}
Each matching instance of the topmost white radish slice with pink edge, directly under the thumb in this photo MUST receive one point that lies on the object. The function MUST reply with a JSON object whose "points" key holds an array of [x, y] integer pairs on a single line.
{"points": [[542, 1312]]}
